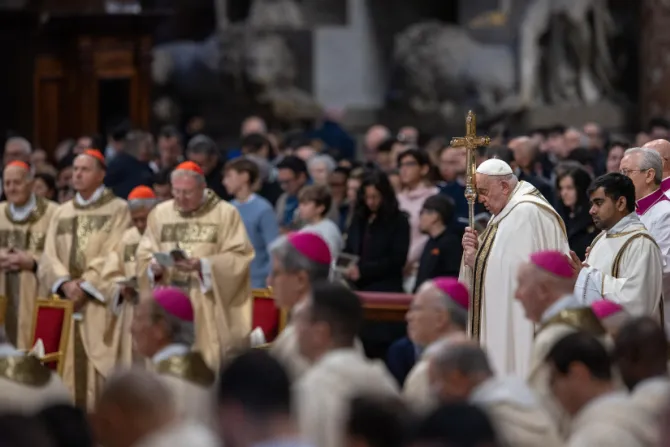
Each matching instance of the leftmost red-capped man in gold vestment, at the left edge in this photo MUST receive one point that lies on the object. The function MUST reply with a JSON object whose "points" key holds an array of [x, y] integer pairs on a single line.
{"points": [[24, 220]]}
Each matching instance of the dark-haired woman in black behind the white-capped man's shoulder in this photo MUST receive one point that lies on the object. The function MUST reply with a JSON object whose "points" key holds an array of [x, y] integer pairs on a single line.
{"points": [[573, 206]]}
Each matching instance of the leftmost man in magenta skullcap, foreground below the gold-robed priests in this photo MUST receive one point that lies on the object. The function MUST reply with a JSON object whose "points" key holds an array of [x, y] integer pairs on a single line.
{"points": [[162, 331]]}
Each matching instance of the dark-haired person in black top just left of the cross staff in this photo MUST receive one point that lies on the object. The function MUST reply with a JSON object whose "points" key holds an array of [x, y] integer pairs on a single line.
{"points": [[442, 253]]}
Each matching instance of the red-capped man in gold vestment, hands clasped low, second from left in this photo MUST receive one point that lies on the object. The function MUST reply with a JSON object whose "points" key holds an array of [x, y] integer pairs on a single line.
{"points": [[83, 231]]}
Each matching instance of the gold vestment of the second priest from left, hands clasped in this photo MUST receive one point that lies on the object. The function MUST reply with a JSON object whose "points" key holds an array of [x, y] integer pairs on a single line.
{"points": [[78, 242]]}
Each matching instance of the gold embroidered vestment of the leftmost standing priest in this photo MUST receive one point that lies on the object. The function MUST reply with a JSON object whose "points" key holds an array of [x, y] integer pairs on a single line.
{"points": [[21, 289]]}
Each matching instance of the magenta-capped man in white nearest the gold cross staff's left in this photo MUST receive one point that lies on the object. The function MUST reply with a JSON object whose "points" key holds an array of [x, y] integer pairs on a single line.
{"points": [[439, 309]]}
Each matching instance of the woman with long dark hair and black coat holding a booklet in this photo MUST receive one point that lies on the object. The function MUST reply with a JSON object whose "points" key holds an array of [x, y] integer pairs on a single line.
{"points": [[379, 236]]}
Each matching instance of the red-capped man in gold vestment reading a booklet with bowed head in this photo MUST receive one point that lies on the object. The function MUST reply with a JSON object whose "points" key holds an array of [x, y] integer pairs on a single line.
{"points": [[208, 256]]}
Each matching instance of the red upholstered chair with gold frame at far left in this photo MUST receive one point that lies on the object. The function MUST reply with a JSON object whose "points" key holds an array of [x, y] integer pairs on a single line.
{"points": [[51, 324]]}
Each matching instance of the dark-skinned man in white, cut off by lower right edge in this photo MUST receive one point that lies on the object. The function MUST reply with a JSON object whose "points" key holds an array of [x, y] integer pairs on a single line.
{"points": [[641, 353]]}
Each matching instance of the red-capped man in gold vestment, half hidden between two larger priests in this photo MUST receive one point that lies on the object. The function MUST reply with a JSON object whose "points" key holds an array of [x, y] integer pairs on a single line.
{"points": [[119, 274]]}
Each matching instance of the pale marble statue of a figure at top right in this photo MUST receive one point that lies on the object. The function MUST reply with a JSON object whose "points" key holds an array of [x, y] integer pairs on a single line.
{"points": [[570, 31]]}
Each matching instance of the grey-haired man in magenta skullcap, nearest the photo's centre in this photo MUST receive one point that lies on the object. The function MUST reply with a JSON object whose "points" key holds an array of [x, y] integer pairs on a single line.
{"points": [[298, 260]]}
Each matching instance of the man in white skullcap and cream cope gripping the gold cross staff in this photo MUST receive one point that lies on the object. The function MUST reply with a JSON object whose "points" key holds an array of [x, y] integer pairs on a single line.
{"points": [[523, 222]]}
